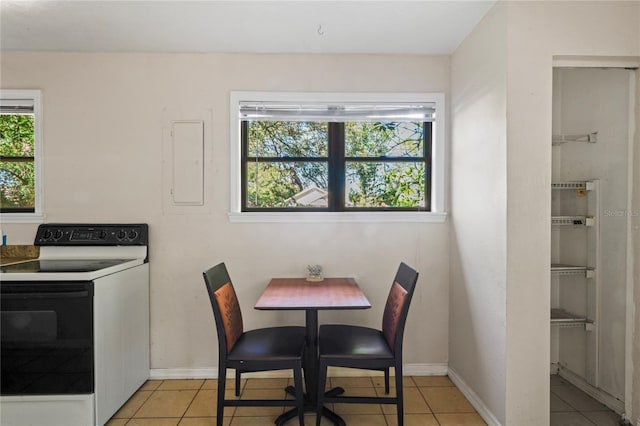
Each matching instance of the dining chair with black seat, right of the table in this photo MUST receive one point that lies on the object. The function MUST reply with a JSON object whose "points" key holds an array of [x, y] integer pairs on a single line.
{"points": [[367, 348]]}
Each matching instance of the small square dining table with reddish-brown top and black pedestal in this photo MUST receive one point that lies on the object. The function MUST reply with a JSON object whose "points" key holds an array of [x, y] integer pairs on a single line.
{"points": [[311, 297]]}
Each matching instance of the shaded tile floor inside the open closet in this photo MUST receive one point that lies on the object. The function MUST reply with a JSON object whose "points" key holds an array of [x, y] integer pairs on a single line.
{"points": [[572, 407]]}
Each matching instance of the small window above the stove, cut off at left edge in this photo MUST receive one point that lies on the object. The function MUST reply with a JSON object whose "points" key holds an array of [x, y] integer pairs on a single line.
{"points": [[20, 150]]}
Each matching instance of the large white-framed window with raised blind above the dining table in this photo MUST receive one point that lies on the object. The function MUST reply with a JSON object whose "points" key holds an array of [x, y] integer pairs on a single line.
{"points": [[338, 153]]}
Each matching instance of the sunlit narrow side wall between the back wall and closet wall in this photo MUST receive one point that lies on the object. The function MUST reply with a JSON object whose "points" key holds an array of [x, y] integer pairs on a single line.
{"points": [[478, 205]]}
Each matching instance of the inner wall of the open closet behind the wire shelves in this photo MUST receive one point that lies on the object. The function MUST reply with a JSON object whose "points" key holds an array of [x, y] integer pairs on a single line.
{"points": [[595, 100]]}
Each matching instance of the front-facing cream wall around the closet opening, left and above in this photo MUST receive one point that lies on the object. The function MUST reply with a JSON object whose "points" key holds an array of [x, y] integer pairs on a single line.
{"points": [[538, 31]]}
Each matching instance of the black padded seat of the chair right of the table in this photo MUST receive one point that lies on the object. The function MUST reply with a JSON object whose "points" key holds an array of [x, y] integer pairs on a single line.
{"points": [[350, 341]]}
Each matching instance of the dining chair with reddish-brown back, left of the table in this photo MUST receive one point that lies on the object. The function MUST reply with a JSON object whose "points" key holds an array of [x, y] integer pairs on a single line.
{"points": [[264, 349]]}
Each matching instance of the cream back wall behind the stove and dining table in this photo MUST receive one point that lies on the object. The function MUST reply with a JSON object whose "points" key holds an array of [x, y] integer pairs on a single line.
{"points": [[103, 141]]}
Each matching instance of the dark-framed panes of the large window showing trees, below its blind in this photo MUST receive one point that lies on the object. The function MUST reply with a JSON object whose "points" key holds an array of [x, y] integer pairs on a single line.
{"points": [[335, 166]]}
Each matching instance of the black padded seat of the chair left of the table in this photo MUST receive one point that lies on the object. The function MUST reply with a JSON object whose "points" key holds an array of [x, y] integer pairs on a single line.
{"points": [[275, 343]]}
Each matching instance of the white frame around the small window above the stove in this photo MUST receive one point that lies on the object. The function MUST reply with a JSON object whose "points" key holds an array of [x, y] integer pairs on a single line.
{"points": [[36, 96]]}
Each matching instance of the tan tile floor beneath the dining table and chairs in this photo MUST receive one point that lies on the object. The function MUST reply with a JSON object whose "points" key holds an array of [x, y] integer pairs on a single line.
{"points": [[429, 401]]}
